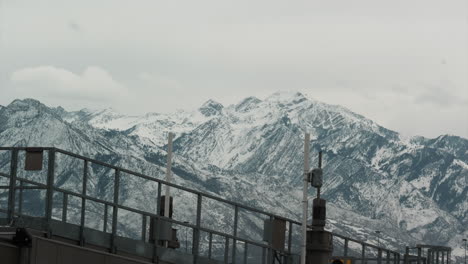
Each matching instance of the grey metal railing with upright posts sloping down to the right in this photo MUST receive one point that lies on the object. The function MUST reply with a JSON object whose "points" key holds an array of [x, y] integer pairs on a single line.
{"points": [[17, 183]]}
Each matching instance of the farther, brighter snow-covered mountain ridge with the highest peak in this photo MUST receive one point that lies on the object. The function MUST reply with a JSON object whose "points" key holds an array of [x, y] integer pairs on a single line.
{"points": [[262, 144]]}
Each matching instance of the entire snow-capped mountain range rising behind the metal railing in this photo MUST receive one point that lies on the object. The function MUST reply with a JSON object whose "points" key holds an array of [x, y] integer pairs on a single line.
{"points": [[415, 190]]}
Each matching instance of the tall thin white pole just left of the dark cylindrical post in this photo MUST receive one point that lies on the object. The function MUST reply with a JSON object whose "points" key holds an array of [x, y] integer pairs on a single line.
{"points": [[304, 198]]}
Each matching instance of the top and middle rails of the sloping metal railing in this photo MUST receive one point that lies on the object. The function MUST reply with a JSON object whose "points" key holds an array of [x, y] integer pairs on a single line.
{"points": [[117, 205]]}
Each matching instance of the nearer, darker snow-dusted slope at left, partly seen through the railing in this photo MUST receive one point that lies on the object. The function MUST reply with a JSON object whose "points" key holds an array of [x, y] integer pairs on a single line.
{"points": [[30, 123]]}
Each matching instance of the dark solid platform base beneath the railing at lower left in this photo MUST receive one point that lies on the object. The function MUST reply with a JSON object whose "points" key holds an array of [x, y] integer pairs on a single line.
{"points": [[29, 246]]}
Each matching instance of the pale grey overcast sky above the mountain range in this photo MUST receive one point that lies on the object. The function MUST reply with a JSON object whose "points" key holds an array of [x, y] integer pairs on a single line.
{"points": [[402, 63]]}
